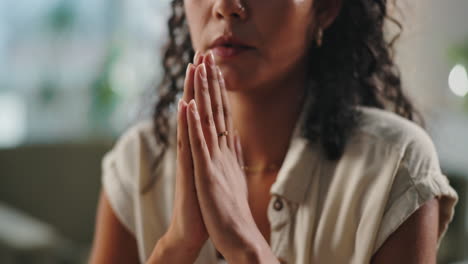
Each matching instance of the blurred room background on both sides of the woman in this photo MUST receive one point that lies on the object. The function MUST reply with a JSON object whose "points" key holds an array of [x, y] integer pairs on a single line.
{"points": [[74, 75]]}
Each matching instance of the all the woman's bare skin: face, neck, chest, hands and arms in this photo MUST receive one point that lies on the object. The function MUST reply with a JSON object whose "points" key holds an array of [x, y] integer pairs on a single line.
{"points": [[212, 192]]}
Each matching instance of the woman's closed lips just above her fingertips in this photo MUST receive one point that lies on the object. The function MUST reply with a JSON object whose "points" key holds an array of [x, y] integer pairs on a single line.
{"points": [[229, 46]]}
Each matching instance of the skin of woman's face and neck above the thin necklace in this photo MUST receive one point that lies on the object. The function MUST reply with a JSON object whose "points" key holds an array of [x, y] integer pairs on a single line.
{"points": [[256, 79]]}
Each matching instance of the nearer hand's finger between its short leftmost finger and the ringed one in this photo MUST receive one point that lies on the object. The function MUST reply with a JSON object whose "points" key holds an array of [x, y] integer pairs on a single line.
{"points": [[202, 97]]}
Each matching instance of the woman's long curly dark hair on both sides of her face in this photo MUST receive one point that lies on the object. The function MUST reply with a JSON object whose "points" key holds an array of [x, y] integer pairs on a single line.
{"points": [[353, 66]]}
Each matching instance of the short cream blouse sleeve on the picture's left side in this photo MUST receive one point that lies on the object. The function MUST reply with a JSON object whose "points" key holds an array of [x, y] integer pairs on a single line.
{"points": [[120, 172]]}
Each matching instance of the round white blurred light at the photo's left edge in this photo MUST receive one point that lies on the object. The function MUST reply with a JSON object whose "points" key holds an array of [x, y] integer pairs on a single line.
{"points": [[12, 120]]}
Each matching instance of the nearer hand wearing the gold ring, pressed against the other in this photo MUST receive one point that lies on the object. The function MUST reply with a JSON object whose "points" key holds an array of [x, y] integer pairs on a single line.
{"points": [[220, 182]]}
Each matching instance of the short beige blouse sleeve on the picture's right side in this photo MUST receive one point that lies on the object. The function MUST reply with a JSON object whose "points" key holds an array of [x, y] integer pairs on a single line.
{"points": [[417, 180]]}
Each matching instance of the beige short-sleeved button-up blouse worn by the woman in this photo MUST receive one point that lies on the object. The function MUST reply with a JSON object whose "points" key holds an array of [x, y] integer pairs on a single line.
{"points": [[320, 211]]}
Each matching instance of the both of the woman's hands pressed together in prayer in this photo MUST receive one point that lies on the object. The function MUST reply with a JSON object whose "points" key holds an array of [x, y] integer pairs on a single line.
{"points": [[211, 197]]}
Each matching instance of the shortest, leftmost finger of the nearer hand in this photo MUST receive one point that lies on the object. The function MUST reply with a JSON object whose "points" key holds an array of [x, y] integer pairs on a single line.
{"points": [[198, 146]]}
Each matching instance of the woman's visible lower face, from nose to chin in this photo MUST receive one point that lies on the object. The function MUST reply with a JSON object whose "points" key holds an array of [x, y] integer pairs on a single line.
{"points": [[279, 33]]}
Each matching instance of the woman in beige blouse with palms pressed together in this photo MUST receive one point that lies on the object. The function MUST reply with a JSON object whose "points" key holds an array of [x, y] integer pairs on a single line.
{"points": [[293, 143]]}
